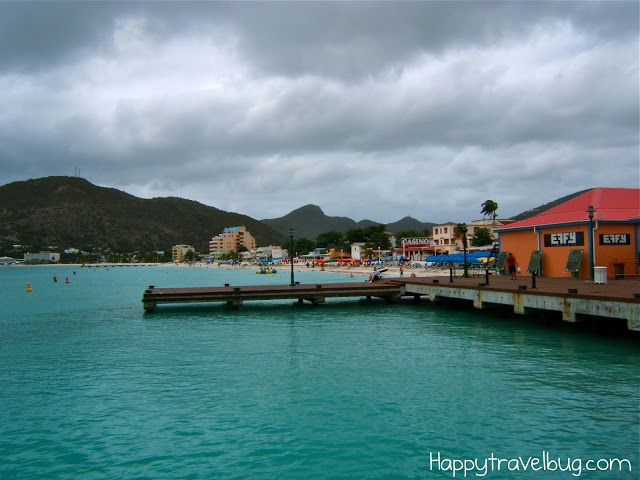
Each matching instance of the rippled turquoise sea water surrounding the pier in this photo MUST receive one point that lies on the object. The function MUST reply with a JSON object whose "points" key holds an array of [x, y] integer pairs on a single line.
{"points": [[91, 388]]}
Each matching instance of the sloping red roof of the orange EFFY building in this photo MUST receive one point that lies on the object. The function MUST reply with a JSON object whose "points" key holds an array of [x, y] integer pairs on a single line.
{"points": [[610, 204]]}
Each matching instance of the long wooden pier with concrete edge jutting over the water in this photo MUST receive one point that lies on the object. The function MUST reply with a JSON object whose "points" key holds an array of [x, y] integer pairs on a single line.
{"points": [[573, 298]]}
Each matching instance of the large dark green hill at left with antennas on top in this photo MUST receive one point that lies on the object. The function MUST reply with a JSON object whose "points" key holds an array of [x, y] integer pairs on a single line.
{"points": [[72, 212]]}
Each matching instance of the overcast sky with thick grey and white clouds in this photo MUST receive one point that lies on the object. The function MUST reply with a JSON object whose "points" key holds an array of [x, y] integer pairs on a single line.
{"points": [[372, 110]]}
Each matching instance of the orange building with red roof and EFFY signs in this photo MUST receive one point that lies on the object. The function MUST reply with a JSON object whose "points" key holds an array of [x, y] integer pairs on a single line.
{"points": [[557, 232]]}
